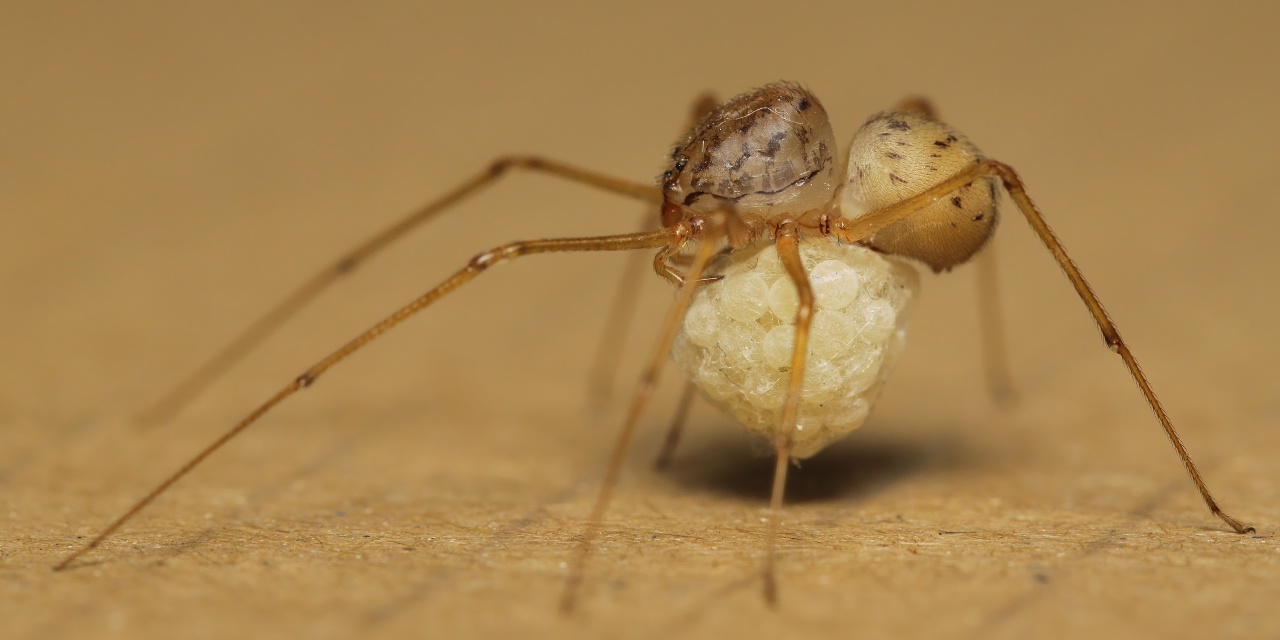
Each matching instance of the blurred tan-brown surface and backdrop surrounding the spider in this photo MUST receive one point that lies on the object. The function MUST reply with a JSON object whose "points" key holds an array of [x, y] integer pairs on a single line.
{"points": [[168, 172]]}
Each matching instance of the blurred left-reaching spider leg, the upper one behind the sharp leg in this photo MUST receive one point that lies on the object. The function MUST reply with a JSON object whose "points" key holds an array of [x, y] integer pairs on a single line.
{"points": [[200, 380]]}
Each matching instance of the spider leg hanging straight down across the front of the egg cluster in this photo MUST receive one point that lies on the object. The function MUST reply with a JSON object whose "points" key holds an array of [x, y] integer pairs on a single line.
{"points": [[789, 250]]}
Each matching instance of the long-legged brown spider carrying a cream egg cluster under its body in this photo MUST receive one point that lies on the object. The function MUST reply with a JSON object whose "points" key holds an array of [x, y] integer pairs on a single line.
{"points": [[793, 271]]}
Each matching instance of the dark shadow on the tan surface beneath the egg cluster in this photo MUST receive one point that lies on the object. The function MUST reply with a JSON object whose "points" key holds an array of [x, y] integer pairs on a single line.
{"points": [[854, 468]]}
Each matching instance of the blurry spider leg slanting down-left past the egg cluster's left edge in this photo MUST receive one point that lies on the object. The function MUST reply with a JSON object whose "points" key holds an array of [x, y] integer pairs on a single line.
{"points": [[639, 399]]}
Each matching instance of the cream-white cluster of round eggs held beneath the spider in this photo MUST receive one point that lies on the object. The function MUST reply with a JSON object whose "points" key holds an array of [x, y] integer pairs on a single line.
{"points": [[739, 336]]}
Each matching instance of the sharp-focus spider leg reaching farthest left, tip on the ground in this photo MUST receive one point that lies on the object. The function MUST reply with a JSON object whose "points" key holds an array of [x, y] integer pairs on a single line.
{"points": [[478, 266]]}
